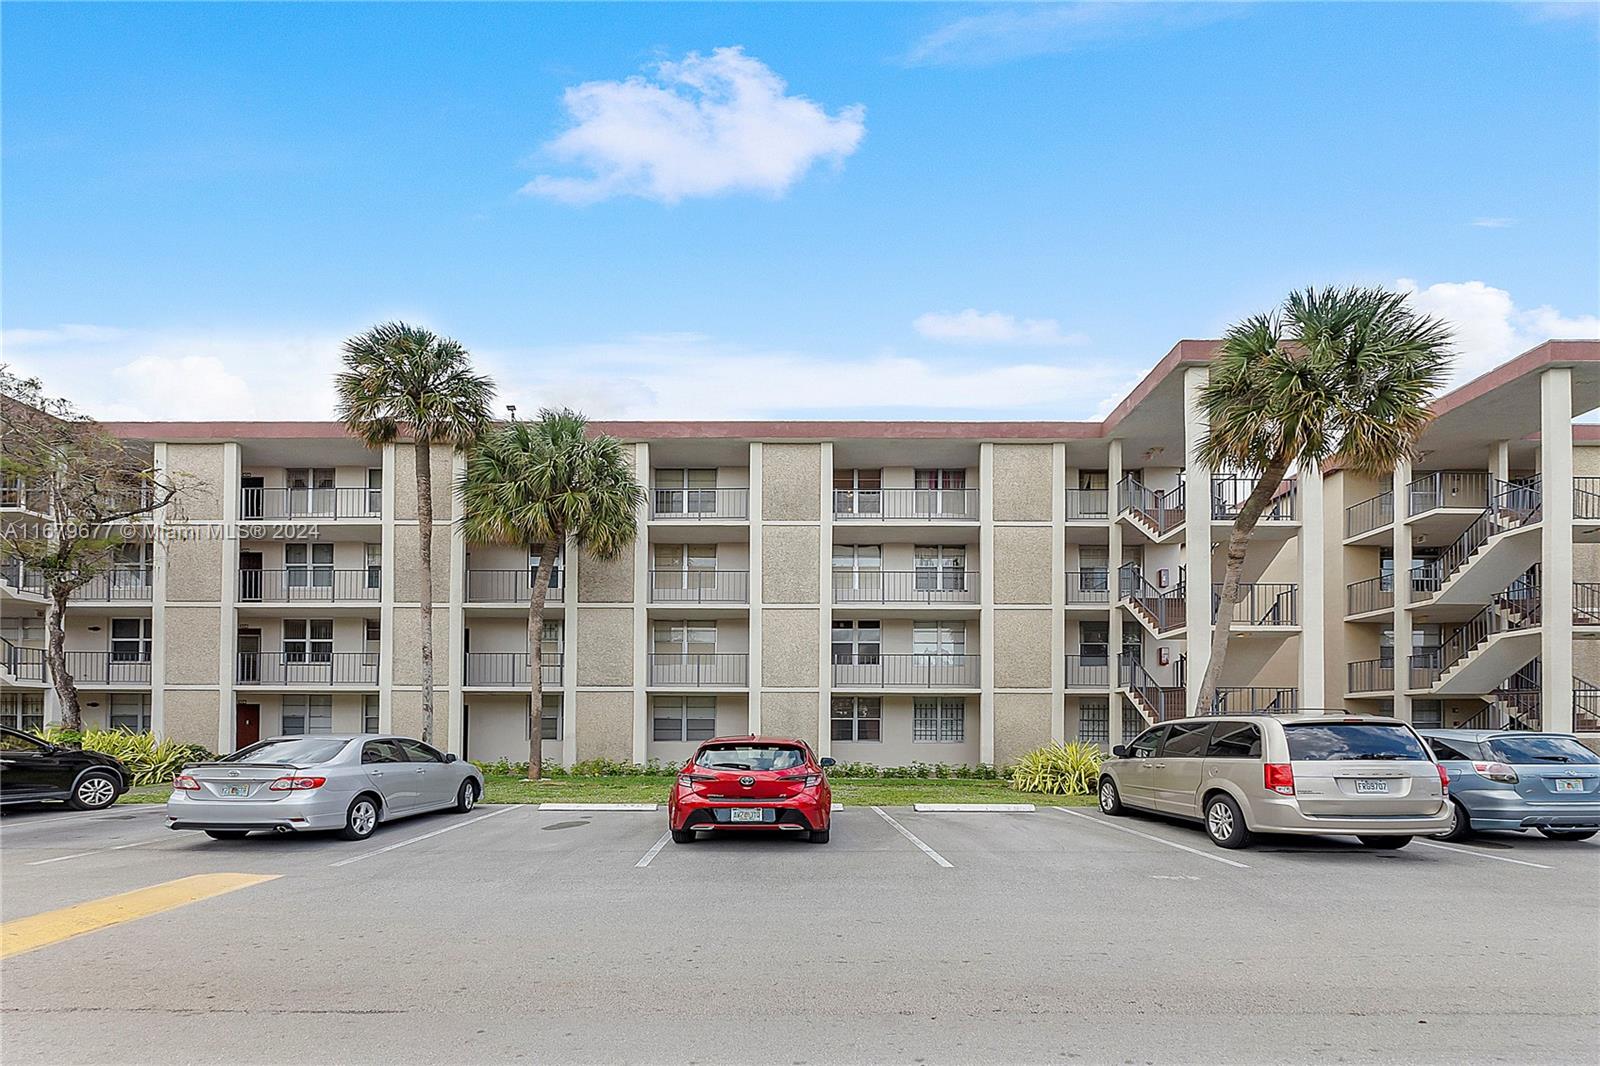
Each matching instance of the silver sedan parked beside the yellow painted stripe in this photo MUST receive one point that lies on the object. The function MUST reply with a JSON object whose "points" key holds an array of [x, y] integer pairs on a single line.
{"points": [[348, 782]]}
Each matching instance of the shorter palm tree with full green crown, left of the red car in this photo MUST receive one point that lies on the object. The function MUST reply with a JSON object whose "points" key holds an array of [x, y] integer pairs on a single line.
{"points": [[543, 486]]}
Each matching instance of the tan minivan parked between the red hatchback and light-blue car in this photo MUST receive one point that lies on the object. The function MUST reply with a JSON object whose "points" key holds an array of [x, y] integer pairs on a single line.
{"points": [[1310, 774]]}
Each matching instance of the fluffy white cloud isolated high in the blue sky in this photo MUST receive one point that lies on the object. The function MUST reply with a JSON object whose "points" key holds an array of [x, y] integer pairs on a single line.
{"points": [[702, 127]]}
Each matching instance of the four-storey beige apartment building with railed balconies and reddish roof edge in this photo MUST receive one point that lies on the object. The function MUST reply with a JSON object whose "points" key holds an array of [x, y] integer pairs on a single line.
{"points": [[894, 593]]}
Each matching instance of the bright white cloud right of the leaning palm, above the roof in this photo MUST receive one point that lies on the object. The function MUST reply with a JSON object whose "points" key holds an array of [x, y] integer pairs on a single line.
{"points": [[1490, 329]]}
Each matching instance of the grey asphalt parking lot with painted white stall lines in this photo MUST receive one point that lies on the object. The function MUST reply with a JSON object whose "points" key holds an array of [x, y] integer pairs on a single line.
{"points": [[1055, 936]]}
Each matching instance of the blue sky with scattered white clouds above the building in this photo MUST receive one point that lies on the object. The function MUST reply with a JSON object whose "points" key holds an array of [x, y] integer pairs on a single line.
{"points": [[745, 212]]}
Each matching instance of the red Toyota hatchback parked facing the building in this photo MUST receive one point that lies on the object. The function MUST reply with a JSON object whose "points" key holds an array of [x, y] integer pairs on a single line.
{"points": [[753, 783]]}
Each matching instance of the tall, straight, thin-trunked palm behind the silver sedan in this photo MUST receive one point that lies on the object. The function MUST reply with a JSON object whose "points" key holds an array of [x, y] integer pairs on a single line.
{"points": [[402, 380]]}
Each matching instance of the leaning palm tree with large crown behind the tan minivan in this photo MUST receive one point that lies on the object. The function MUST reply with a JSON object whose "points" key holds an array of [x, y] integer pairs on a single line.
{"points": [[1338, 375]]}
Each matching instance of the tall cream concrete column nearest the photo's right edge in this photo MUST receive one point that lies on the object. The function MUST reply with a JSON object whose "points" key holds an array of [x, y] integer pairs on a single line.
{"points": [[1556, 558]]}
